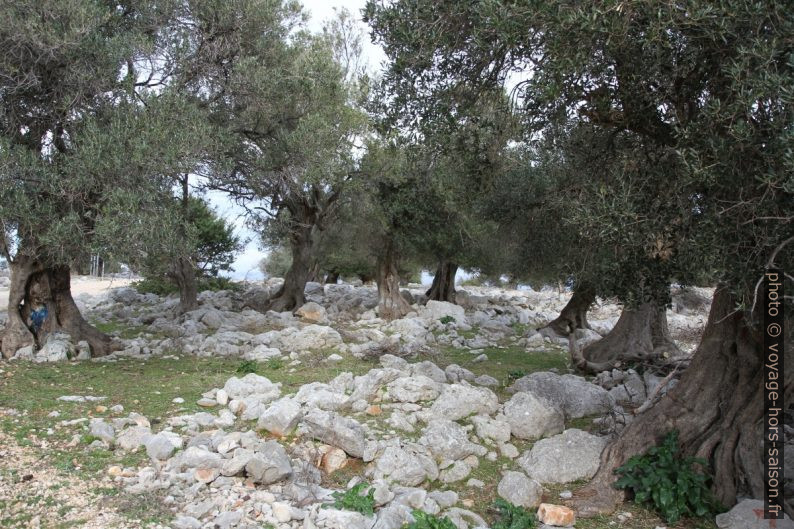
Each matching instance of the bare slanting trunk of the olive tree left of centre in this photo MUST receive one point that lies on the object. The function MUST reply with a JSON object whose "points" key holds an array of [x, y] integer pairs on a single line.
{"points": [[291, 294]]}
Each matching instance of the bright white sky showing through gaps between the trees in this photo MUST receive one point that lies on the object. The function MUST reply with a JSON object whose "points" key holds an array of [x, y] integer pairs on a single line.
{"points": [[246, 266]]}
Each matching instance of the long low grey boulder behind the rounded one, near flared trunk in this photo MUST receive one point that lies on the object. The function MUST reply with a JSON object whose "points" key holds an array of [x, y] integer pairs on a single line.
{"points": [[576, 396]]}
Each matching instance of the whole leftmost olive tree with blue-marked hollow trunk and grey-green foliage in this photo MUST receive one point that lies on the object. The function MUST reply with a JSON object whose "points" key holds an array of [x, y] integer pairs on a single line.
{"points": [[85, 151]]}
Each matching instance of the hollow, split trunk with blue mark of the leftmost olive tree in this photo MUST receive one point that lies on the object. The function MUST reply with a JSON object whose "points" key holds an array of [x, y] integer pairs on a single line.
{"points": [[33, 287]]}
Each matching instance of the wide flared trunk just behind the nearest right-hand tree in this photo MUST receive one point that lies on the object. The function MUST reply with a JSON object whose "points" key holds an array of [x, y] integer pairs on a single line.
{"points": [[641, 334]]}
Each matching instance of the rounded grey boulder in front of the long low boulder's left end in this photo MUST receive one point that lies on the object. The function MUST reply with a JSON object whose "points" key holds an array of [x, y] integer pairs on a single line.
{"points": [[532, 417]]}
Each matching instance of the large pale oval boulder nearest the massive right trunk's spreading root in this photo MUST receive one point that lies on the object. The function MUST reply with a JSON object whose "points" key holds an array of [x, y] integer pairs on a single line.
{"points": [[570, 456]]}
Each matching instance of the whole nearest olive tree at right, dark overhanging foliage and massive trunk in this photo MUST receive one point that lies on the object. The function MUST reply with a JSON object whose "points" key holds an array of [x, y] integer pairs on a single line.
{"points": [[698, 96]]}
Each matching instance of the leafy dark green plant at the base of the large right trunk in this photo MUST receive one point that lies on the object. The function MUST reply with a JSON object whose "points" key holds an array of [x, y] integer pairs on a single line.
{"points": [[667, 481]]}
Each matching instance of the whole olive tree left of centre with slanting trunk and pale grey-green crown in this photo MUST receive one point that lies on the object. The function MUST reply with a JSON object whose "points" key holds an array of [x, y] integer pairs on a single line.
{"points": [[292, 130]]}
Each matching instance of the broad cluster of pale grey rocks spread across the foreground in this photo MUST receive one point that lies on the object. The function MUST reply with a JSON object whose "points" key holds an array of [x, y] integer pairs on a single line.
{"points": [[261, 456]]}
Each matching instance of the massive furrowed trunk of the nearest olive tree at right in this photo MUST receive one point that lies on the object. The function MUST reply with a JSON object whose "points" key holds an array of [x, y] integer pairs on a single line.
{"points": [[717, 408]]}
